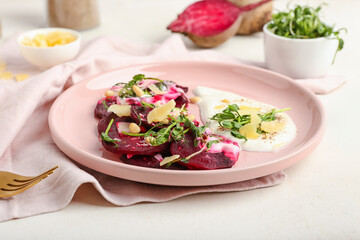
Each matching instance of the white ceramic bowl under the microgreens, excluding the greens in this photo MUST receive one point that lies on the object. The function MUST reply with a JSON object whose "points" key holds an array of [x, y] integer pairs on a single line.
{"points": [[298, 58]]}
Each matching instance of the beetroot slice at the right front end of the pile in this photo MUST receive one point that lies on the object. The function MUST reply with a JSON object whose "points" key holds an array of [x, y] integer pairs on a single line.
{"points": [[204, 160]]}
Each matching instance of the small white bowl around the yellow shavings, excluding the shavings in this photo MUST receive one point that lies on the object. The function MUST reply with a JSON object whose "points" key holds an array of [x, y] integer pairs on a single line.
{"points": [[45, 57]]}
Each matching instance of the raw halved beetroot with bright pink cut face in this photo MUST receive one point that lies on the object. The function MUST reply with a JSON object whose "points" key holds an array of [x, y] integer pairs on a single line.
{"points": [[211, 22]]}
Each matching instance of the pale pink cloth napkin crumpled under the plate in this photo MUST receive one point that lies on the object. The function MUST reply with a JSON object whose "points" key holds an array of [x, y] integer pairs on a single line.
{"points": [[27, 148]]}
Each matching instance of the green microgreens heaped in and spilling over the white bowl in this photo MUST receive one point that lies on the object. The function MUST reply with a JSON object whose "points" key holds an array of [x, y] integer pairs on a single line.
{"points": [[303, 22]]}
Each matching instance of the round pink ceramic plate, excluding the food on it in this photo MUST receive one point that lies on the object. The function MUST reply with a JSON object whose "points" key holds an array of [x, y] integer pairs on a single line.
{"points": [[74, 128]]}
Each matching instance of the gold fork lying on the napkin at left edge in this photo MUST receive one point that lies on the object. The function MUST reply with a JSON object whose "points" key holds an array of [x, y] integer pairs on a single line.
{"points": [[12, 184]]}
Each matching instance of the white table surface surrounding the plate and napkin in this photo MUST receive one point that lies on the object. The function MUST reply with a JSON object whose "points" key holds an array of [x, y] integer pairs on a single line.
{"points": [[320, 198]]}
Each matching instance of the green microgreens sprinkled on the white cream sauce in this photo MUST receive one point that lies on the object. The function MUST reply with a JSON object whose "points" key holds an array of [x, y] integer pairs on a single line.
{"points": [[231, 120]]}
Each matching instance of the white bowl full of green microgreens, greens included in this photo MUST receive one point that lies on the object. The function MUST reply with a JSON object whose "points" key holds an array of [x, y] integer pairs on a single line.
{"points": [[297, 43]]}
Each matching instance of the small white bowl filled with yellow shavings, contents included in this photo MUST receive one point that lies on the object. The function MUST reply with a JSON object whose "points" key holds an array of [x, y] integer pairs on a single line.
{"points": [[47, 47]]}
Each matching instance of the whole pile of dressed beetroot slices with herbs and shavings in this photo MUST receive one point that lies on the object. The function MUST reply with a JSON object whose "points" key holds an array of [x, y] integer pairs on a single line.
{"points": [[147, 123]]}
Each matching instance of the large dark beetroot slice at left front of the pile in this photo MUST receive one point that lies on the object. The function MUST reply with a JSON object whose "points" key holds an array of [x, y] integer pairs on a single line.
{"points": [[126, 144]]}
